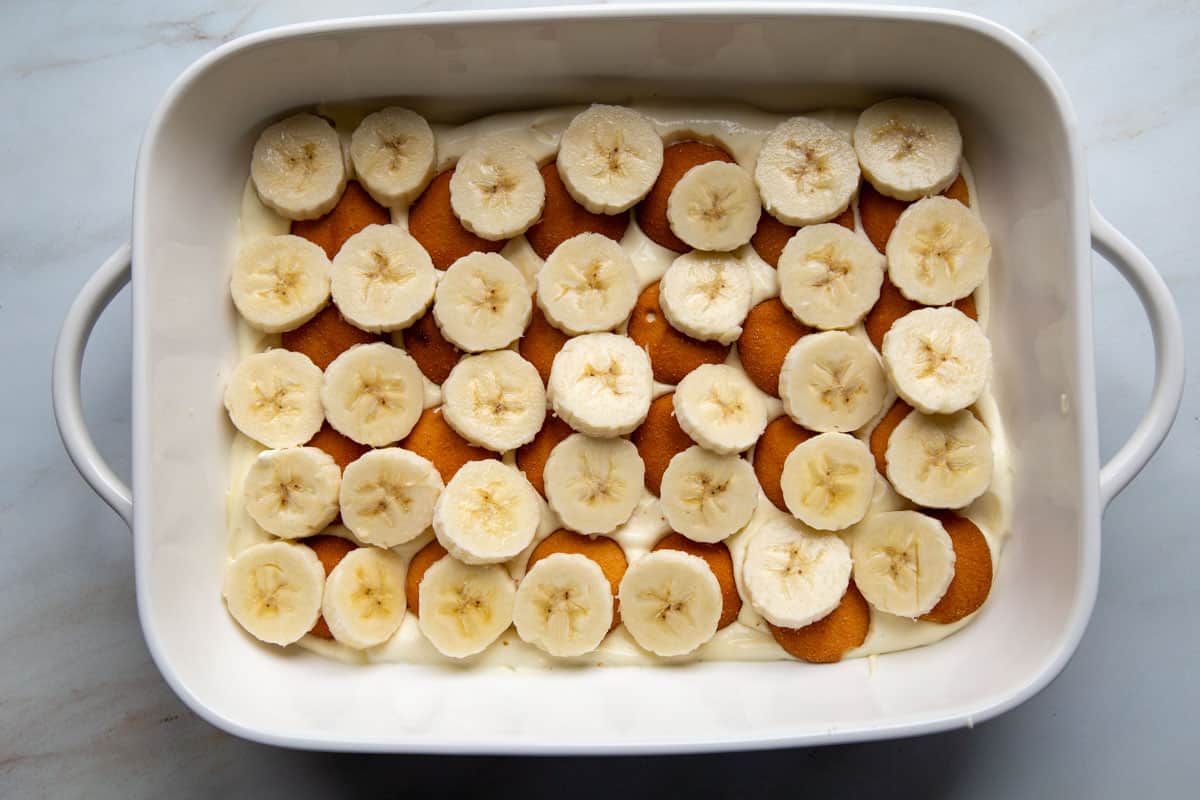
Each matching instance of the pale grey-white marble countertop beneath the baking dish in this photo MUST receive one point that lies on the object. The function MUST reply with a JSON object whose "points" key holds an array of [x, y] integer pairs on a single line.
{"points": [[83, 711]]}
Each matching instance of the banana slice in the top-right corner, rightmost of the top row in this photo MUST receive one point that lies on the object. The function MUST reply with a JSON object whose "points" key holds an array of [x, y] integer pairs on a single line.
{"points": [[909, 148]]}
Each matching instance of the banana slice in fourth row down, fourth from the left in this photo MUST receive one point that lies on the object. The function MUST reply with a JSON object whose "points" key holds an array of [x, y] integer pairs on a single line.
{"points": [[595, 485]]}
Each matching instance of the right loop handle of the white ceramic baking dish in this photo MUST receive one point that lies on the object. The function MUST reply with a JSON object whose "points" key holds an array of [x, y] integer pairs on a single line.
{"points": [[1168, 333]]}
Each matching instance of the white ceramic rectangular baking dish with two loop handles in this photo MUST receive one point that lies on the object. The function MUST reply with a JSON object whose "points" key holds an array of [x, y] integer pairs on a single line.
{"points": [[1023, 143]]}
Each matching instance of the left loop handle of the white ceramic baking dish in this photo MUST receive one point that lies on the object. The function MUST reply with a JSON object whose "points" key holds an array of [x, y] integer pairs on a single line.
{"points": [[93, 299]]}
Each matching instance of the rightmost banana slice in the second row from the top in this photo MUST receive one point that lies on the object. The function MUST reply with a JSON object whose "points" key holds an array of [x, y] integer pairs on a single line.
{"points": [[939, 251]]}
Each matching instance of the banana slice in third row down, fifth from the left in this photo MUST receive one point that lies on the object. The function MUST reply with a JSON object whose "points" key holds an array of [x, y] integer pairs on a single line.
{"points": [[721, 410]]}
